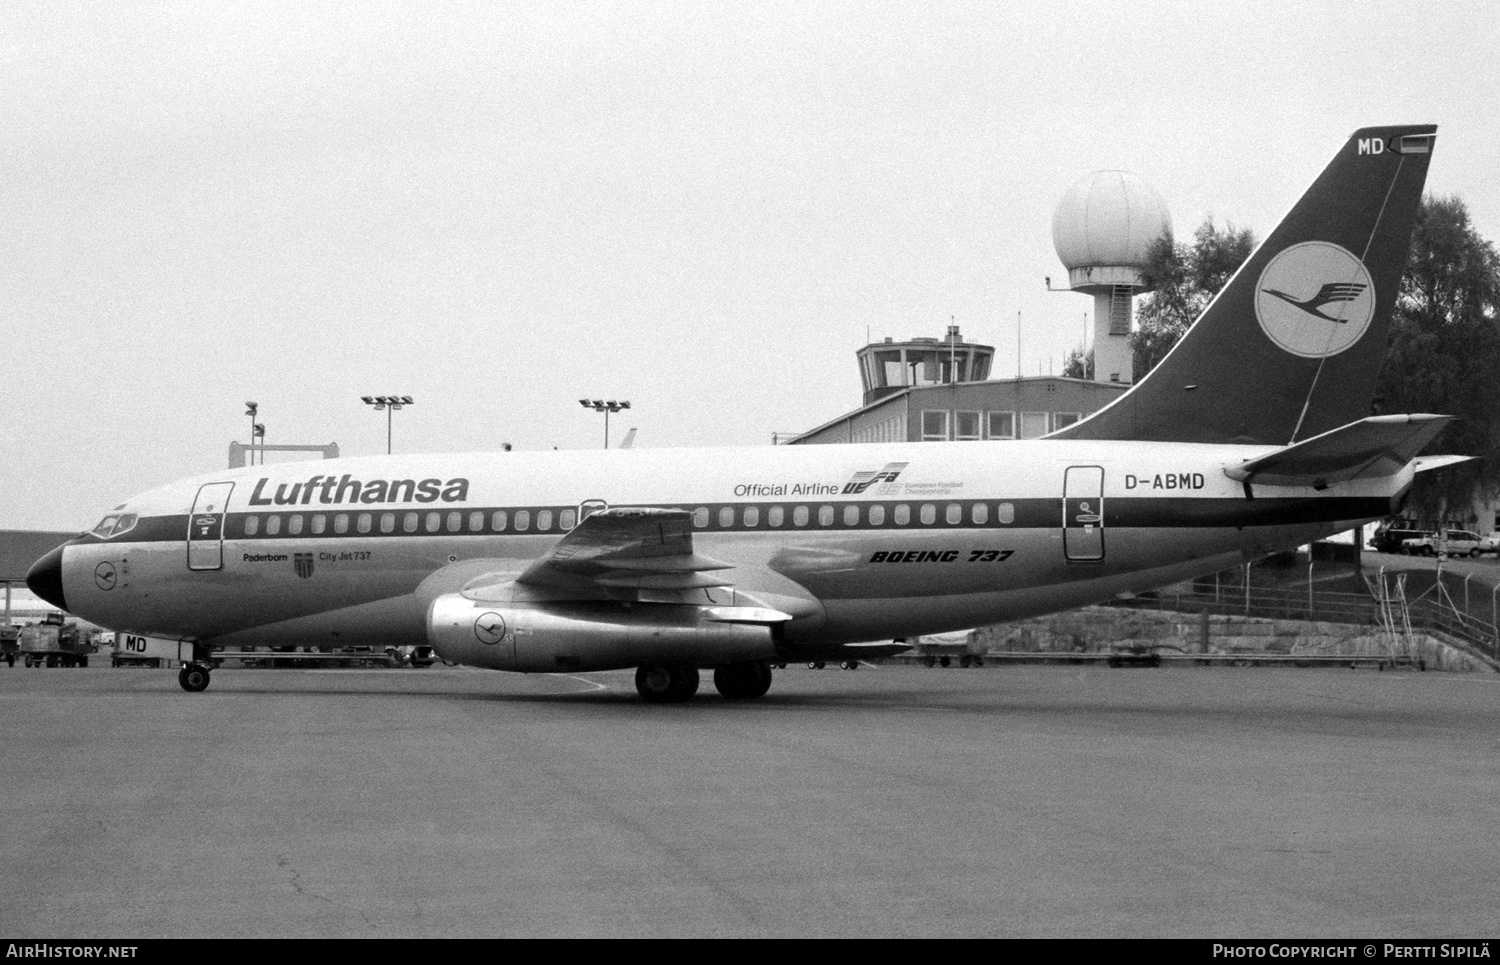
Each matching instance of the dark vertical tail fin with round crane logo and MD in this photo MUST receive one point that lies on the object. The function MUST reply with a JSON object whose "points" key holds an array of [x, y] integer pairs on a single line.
{"points": [[1292, 346]]}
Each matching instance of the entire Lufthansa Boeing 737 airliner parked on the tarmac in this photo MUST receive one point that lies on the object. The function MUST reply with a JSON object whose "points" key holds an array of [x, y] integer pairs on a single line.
{"points": [[1253, 436]]}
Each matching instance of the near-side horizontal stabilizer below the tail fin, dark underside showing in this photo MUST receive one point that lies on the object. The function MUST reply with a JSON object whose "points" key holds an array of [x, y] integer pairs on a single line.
{"points": [[1367, 449]]}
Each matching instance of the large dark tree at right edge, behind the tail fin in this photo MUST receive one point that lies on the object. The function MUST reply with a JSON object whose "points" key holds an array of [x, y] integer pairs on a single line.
{"points": [[1445, 356]]}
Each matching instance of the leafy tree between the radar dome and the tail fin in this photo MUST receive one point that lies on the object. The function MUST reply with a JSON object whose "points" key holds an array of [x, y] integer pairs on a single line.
{"points": [[1186, 280]]}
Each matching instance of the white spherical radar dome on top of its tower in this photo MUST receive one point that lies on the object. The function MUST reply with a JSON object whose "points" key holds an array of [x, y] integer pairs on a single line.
{"points": [[1105, 227]]}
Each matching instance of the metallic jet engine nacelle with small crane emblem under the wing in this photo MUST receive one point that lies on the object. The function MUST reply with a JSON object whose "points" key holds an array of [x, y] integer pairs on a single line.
{"points": [[589, 637]]}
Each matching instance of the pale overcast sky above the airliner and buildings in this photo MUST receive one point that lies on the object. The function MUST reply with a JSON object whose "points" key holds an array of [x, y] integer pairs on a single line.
{"points": [[701, 208]]}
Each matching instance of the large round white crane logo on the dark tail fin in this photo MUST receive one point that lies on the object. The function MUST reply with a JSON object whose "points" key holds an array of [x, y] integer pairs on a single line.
{"points": [[1315, 299]]}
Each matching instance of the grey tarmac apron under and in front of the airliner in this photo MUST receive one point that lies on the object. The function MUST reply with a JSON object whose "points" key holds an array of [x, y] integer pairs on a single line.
{"points": [[886, 802]]}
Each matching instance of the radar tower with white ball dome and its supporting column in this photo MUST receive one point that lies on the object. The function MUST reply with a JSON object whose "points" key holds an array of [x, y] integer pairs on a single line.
{"points": [[1103, 230]]}
